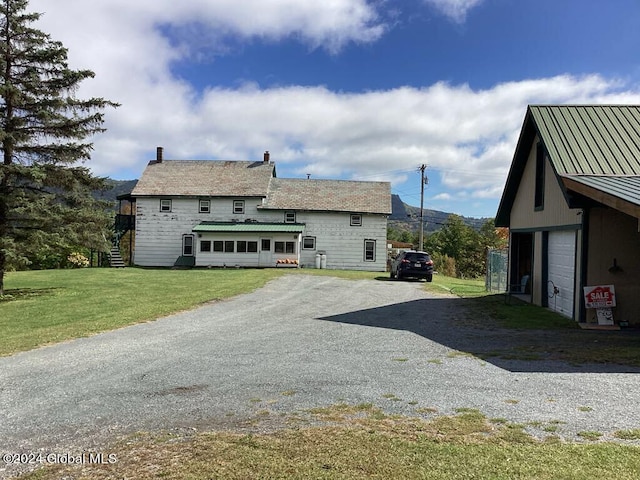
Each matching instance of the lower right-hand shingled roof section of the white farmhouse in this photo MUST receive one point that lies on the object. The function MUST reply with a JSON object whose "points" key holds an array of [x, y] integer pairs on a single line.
{"points": [[329, 195]]}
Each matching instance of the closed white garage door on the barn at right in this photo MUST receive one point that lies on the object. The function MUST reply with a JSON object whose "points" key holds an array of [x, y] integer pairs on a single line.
{"points": [[561, 271]]}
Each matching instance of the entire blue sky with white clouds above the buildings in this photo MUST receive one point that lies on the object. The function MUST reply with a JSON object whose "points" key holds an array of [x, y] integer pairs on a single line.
{"points": [[352, 89]]}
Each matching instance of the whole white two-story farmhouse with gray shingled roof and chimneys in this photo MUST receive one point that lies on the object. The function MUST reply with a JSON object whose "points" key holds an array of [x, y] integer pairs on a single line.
{"points": [[210, 213]]}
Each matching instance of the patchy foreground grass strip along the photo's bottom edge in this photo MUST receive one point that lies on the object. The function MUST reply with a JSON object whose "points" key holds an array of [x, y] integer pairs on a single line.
{"points": [[360, 441]]}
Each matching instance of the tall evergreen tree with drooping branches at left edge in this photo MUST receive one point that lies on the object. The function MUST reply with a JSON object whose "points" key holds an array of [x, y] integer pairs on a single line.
{"points": [[44, 190]]}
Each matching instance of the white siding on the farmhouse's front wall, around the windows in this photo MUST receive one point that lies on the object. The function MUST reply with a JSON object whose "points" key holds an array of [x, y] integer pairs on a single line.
{"points": [[159, 235]]}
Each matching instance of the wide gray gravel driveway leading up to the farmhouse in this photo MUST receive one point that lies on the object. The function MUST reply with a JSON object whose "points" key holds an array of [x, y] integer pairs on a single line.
{"points": [[299, 342]]}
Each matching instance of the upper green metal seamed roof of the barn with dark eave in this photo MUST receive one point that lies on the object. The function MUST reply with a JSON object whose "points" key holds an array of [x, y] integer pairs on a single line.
{"points": [[597, 146]]}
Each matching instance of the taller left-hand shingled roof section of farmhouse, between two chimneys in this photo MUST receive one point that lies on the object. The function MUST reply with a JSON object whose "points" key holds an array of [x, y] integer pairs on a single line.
{"points": [[204, 178]]}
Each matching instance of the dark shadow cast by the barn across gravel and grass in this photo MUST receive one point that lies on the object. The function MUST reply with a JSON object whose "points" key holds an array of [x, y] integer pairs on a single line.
{"points": [[466, 325]]}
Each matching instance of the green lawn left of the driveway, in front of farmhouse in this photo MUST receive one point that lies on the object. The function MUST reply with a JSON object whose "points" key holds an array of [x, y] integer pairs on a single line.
{"points": [[43, 307]]}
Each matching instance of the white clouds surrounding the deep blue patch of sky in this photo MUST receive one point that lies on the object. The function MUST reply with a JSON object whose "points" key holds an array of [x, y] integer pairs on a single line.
{"points": [[466, 136]]}
